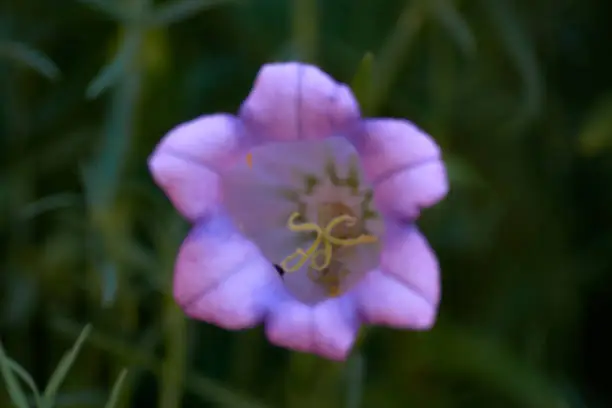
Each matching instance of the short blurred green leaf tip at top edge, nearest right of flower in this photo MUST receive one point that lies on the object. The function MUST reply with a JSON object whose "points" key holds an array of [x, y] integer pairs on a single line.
{"points": [[453, 22]]}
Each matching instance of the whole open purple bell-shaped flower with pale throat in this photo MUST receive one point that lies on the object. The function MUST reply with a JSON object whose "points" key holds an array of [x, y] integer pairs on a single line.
{"points": [[299, 180]]}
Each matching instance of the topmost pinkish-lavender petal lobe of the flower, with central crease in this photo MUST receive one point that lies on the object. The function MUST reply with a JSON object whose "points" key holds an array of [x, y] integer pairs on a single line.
{"points": [[293, 101]]}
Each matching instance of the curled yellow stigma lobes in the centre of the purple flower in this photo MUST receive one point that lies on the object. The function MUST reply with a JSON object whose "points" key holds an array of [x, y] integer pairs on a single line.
{"points": [[325, 238]]}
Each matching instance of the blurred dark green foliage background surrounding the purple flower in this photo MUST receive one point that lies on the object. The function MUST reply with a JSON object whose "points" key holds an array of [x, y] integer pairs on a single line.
{"points": [[517, 92]]}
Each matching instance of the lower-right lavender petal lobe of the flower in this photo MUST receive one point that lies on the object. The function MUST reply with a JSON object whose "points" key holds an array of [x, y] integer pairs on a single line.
{"points": [[405, 290]]}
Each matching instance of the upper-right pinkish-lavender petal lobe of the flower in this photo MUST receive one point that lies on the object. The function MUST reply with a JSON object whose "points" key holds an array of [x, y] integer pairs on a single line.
{"points": [[403, 163]]}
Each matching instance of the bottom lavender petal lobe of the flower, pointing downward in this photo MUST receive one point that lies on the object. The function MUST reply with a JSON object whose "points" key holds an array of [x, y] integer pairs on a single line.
{"points": [[328, 329]]}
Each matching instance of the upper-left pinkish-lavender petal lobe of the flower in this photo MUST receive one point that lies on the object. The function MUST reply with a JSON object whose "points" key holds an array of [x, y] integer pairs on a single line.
{"points": [[186, 162]]}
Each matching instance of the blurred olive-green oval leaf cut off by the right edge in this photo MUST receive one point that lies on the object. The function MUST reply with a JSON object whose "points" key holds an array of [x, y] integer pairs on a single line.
{"points": [[596, 134]]}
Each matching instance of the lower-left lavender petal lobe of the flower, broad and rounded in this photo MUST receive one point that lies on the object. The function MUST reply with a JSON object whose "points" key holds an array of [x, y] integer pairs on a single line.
{"points": [[220, 277]]}
